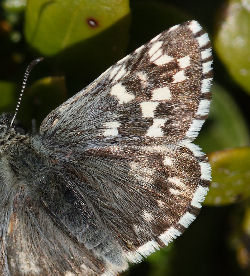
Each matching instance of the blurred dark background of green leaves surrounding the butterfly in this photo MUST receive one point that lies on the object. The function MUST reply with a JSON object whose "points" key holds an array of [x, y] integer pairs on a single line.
{"points": [[80, 39]]}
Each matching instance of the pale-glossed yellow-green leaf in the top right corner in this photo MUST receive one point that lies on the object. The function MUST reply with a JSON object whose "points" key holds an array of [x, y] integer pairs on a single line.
{"points": [[232, 41]]}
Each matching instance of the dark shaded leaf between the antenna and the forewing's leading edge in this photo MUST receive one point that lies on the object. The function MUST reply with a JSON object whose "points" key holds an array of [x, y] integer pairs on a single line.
{"points": [[41, 97]]}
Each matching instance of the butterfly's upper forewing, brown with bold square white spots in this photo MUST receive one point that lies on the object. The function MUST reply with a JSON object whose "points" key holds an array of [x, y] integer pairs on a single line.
{"points": [[159, 93]]}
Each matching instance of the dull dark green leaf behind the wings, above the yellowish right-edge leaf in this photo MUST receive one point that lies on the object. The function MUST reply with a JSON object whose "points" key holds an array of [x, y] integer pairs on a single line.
{"points": [[225, 127]]}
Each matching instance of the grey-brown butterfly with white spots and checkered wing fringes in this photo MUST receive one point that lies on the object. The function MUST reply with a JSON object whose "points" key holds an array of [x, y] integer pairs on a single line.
{"points": [[113, 174]]}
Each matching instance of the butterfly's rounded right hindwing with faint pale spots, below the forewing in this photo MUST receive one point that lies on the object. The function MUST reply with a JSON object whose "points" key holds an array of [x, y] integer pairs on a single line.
{"points": [[159, 190]]}
